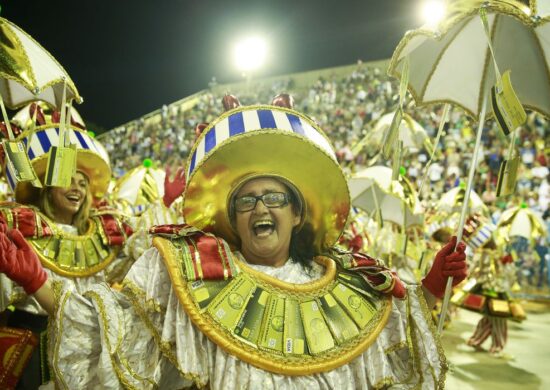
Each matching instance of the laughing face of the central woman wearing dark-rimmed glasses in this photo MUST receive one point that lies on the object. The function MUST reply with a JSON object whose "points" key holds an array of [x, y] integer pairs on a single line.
{"points": [[265, 232]]}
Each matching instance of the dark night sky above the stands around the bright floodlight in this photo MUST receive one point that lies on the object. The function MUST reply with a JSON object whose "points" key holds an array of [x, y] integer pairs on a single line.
{"points": [[128, 58]]}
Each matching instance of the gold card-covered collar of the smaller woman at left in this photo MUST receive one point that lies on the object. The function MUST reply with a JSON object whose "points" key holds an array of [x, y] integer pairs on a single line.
{"points": [[75, 255]]}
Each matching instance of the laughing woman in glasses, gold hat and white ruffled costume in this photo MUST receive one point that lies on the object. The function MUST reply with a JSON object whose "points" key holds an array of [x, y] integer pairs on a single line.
{"points": [[252, 292]]}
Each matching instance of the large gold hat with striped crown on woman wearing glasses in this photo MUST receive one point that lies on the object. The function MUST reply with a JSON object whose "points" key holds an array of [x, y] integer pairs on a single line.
{"points": [[254, 141]]}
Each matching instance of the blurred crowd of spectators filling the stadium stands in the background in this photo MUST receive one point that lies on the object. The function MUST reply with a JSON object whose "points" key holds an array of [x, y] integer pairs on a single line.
{"points": [[346, 107]]}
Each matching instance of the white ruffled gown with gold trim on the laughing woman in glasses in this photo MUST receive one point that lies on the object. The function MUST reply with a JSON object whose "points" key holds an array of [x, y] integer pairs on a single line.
{"points": [[104, 339]]}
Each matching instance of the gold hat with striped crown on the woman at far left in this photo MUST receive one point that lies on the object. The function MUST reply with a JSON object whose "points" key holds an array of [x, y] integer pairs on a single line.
{"points": [[91, 157]]}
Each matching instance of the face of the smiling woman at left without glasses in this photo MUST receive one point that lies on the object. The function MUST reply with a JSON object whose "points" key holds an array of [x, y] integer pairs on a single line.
{"points": [[67, 201]]}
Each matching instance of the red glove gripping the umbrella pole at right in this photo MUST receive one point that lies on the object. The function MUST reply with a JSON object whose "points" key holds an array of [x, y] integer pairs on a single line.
{"points": [[447, 263]]}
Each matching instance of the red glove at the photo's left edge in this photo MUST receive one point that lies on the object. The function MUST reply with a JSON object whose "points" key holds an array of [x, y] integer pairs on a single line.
{"points": [[20, 263]]}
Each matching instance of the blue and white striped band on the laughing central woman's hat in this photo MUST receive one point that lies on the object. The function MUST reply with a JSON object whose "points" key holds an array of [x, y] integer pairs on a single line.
{"points": [[256, 118]]}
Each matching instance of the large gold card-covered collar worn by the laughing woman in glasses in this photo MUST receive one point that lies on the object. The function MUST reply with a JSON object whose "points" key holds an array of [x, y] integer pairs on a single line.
{"points": [[285, 328]]}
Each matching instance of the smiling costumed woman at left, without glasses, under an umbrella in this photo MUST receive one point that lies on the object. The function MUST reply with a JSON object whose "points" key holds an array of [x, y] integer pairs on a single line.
{"points": [[75, 244]]}
